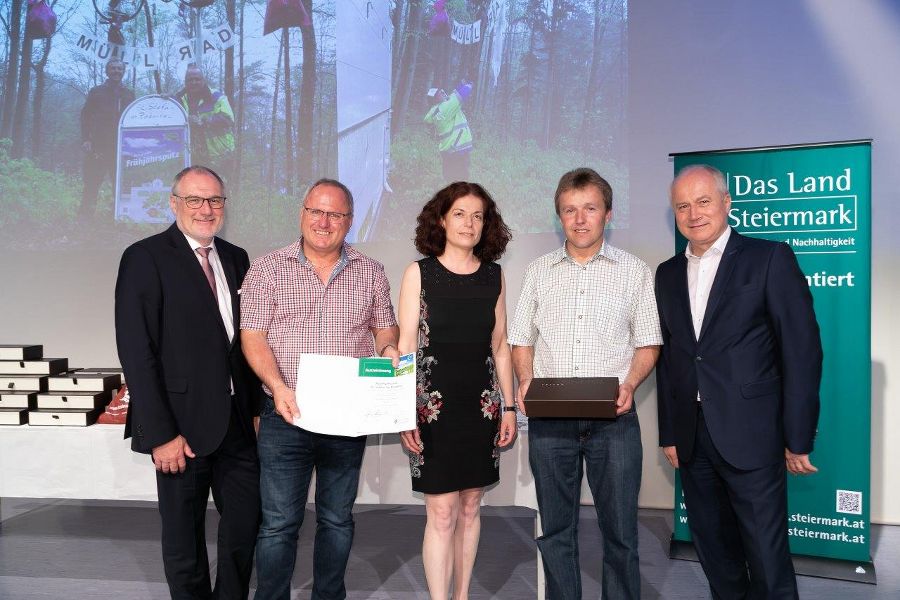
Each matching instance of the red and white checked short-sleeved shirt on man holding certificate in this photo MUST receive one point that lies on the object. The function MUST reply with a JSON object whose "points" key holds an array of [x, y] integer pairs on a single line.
{"points": [[283, 296]]}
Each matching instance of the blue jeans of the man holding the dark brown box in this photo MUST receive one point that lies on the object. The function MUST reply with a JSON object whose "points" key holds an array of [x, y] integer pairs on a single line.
{"points": [[558, 450]]}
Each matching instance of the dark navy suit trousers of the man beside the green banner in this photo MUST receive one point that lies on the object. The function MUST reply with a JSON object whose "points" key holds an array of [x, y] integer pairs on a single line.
{"points": [[738, 520]]}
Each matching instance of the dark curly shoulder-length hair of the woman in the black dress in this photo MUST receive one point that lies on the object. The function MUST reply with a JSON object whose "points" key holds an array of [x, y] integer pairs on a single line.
{"points": [[431, 237]]}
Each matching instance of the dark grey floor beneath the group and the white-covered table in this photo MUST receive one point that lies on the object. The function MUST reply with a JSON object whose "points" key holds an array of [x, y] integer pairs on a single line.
{"points": [[103, 550]]}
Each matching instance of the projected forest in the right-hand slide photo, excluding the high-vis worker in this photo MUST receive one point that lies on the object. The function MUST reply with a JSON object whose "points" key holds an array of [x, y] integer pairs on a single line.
{"points": [[549, 81]]}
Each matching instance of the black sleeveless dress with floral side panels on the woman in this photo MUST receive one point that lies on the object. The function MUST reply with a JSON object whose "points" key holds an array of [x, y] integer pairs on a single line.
{"points": [[457, 394]]}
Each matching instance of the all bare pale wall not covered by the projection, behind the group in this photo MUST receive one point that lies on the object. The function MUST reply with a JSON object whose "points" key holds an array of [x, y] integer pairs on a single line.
{"points": [[704, 75]]}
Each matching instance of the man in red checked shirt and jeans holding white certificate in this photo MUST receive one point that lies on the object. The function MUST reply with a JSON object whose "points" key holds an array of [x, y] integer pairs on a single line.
{"points": [[318, 295]]}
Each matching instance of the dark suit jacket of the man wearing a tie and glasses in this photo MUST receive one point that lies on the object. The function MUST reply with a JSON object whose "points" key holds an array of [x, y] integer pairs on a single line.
{"points": [[173, 347]]}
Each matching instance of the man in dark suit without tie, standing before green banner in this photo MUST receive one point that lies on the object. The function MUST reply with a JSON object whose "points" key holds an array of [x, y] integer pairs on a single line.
{"points": [[738, 384]]}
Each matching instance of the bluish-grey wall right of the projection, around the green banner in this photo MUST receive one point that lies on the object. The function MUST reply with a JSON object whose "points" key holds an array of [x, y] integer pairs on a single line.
{"points": [[741, 74]]}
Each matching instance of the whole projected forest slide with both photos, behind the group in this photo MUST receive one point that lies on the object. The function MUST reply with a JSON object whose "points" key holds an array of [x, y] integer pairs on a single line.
{"points": [[395, 98]]}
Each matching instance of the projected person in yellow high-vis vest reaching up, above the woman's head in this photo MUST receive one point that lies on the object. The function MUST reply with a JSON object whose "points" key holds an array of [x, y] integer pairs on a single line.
{"points": [[451, 128]]}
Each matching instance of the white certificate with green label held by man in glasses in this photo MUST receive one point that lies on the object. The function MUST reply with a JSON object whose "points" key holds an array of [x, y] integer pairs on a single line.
{"points": [[340, 395]]}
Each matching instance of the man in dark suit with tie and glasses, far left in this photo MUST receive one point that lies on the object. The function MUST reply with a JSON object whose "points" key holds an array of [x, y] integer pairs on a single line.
{"points": [[193, 397]]}
